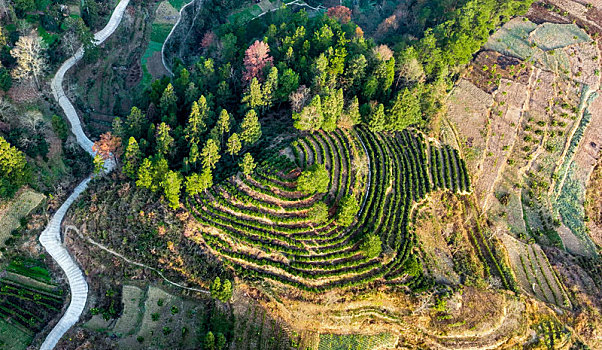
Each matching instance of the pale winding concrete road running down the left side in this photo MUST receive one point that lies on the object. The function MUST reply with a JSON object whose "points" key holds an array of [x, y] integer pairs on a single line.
{"points": [[50, 238]]}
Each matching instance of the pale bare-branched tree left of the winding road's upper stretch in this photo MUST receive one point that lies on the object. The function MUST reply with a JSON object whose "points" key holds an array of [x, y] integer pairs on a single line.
{"points": [[30, 53]]}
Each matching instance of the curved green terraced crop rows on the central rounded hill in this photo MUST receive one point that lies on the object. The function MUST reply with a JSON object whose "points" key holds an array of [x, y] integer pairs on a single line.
{"points": [[265, 227]]}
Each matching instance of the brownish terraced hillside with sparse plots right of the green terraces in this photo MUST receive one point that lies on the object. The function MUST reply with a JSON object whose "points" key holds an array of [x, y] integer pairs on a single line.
{"points": [[526, 116]]}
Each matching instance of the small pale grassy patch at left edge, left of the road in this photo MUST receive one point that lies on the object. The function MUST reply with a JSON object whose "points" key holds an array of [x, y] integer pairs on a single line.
{"points": [[17, 209]]}
